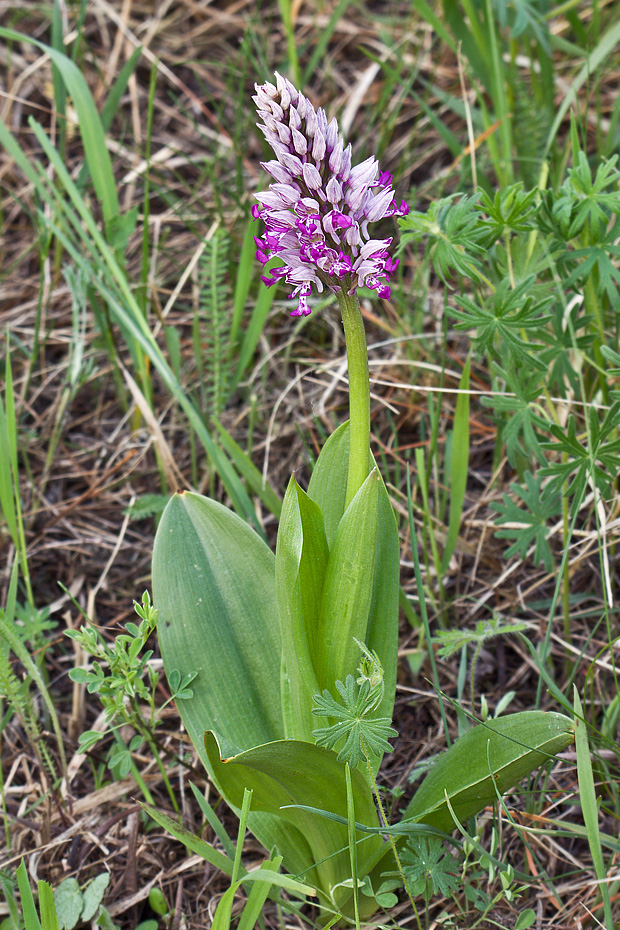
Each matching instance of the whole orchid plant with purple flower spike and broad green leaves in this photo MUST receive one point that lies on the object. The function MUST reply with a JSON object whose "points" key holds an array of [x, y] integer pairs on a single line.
{"points": [[274, 639]]}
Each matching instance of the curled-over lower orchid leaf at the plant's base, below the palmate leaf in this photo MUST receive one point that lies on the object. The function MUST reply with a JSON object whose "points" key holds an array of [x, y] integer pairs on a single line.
{"points": [[290, 772]]}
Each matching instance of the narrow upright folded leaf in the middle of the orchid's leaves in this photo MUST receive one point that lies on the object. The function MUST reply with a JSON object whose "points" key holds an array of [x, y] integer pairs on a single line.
{"points": [[301, 562]]}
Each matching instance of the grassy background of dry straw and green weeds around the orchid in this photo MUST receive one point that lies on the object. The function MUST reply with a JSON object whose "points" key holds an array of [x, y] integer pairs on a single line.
{"points": [[142, 354]]}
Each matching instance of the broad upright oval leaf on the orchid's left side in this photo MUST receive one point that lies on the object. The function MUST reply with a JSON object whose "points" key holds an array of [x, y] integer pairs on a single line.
{"points": [[214, 586]]}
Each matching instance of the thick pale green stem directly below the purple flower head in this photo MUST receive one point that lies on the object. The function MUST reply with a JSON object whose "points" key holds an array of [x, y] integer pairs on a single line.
{"points": [[359, 393]]}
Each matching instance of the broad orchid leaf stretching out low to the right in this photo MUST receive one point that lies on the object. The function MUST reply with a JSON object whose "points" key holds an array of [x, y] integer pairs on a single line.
{"points": [[519, 743]]}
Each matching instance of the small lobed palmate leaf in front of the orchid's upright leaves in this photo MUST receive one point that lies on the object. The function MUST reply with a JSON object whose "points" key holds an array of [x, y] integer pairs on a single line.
{"points": [[365, 737]]}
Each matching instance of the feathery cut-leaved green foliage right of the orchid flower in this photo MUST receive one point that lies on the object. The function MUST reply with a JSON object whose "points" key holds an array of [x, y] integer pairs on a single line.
{"points": [[543, 315]]}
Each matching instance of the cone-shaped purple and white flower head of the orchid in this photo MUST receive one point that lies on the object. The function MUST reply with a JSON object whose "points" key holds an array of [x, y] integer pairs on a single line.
{"points": [[318, 207]]}
